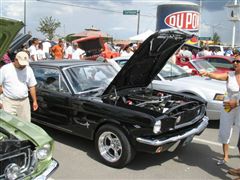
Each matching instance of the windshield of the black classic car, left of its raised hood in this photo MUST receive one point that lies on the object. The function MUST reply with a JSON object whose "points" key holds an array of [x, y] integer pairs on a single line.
{"points": [[90, 77]]}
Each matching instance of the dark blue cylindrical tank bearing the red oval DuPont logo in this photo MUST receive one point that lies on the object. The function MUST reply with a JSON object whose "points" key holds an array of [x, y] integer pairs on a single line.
{"points": [[182, 15]]}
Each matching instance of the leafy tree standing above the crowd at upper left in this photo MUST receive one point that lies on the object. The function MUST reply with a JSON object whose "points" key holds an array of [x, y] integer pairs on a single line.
{"points": [[48, 26]]}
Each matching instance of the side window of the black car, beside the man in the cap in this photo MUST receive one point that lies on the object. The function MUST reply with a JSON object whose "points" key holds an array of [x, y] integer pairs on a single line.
{"points": [[49, 79]]}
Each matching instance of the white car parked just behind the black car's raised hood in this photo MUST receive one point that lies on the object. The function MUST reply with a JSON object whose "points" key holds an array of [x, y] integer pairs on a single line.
{"points": [[174, 78]]}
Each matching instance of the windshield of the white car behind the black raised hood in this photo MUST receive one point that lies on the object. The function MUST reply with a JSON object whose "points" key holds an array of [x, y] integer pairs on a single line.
{"points": [[171, 71]]}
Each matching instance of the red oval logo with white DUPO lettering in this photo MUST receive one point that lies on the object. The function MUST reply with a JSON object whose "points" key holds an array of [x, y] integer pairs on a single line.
{"points": [[188, 20]]}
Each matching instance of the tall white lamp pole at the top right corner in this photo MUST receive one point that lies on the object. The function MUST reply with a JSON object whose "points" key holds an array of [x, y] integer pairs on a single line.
{"points": [[234, 8]]}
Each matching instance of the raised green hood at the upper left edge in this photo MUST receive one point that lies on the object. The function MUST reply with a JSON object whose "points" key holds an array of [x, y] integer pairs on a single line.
{"points": [[8, 30]]}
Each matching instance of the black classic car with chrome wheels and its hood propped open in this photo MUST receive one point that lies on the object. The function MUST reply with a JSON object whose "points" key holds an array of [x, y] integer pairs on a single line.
{"points": [[121, 115]]}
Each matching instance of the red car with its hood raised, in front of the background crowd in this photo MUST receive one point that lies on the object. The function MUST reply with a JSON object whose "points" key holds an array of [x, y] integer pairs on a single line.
{"points": [[95, 47]]}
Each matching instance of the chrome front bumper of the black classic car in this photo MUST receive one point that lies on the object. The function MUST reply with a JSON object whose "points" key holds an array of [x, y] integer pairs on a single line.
{"points": [[192, 132]]}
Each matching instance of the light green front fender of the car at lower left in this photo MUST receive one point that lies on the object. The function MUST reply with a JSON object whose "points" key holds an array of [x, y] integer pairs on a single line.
{"points": [[23, 130]]}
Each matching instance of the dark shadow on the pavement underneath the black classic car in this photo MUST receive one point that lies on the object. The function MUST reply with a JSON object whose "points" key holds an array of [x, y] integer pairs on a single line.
{"points": [[194, 155]]}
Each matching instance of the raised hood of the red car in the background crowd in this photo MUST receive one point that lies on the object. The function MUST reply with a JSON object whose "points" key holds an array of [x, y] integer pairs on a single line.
{"points": [[90, 43]]}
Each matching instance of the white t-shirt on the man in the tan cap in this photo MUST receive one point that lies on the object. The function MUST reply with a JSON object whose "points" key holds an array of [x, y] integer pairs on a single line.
{"points": [[15, 82]]}
